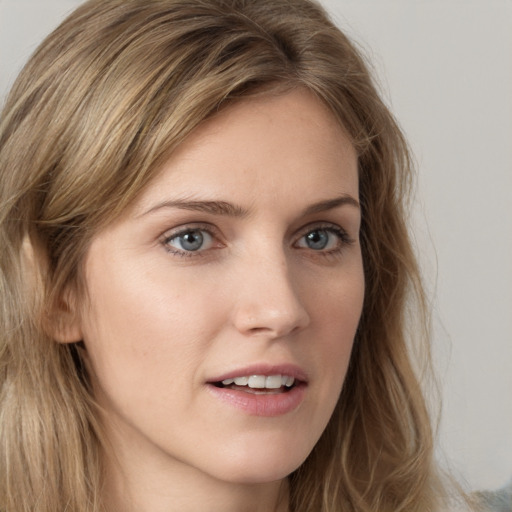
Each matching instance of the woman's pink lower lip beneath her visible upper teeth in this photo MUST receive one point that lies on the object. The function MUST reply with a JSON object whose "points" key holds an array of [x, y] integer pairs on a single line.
{"points": [[268, 405]]}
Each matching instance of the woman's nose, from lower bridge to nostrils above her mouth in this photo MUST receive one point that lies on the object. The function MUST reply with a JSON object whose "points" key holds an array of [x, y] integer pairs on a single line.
{"points": [[268, 303]]}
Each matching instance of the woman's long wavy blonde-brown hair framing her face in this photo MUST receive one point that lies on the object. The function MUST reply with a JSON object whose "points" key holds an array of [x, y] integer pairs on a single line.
{"points": [[94, 114]]}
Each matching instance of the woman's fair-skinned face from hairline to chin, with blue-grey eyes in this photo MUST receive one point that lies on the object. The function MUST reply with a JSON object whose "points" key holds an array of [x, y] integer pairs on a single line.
{"points": [[239, 263]]}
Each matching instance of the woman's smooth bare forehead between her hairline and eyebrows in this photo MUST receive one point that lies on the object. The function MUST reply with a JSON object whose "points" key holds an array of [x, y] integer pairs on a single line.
{"points": [[266, 145]]}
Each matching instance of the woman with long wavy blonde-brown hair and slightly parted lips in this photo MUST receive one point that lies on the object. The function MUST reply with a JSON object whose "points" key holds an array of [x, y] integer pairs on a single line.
{"points": [[206, 269]]}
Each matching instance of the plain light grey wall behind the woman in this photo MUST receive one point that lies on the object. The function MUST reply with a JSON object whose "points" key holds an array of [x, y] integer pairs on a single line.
{"points": [[445, 69]]}
